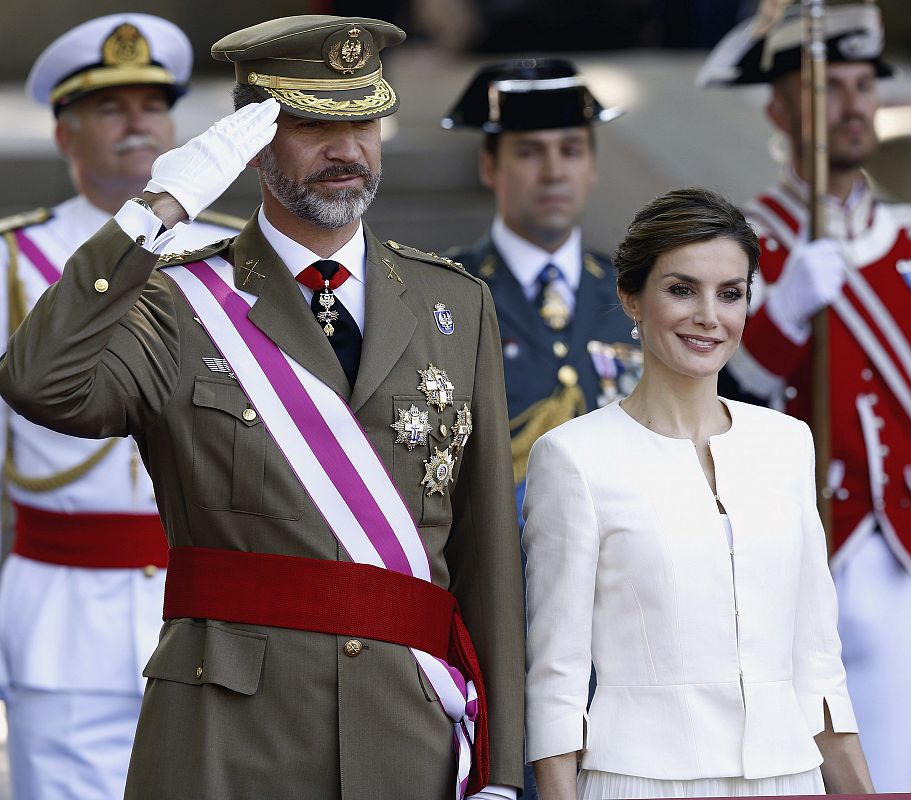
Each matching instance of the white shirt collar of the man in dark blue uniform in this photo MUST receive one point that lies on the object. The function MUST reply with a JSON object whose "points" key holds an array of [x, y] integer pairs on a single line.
{"points": [[526, 260]]}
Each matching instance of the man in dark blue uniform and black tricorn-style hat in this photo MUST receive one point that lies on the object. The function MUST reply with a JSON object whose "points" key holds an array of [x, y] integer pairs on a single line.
{"points": [[566, 345]]}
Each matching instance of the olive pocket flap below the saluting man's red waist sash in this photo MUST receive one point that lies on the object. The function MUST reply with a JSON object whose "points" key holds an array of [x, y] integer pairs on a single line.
{"points": [[209, 652]]}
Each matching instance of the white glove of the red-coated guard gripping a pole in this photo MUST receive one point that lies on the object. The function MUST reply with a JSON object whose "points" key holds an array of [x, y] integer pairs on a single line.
{"points": [[810, 281]]}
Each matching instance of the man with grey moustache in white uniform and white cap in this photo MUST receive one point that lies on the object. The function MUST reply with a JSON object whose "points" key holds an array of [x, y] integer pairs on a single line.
{"points": [[81, 594]]}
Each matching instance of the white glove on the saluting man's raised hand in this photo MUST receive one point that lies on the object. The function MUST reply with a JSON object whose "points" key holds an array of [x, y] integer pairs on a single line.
{"points": [[197, 173]]}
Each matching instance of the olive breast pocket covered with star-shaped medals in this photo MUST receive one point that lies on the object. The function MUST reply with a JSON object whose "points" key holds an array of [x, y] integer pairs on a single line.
{"points": [[426, 473]]}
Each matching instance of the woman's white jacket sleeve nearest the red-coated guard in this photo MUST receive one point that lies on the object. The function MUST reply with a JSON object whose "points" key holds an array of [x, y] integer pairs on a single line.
{"points": [[819, 676]]}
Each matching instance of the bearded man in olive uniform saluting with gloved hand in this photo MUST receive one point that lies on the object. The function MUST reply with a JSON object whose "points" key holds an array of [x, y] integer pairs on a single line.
{"points": [[324, 420]]}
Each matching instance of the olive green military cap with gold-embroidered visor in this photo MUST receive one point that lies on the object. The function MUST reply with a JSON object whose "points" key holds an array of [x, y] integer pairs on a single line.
{"points": [[319, 67]]}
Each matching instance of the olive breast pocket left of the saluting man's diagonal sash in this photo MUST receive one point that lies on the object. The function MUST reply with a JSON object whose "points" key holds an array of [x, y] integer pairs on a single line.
{"points": [[236, 466]]}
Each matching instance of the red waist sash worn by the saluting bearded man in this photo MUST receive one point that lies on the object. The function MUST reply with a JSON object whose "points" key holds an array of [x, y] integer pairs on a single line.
{"points": [[336, 597]]}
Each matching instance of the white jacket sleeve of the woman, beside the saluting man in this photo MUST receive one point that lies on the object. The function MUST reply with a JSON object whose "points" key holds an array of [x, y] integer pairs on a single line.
{"points": [[561, 540]]}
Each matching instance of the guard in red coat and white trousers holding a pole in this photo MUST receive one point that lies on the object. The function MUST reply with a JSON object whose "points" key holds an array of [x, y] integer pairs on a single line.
{"points": [[858, 277]]}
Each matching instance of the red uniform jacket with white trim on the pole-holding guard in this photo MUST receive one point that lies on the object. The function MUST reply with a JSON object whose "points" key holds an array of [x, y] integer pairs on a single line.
{"points": [[869, 474]]}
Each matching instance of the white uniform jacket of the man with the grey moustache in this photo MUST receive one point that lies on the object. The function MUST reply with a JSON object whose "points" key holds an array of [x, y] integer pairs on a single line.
{"points": [[66, 628]]}
